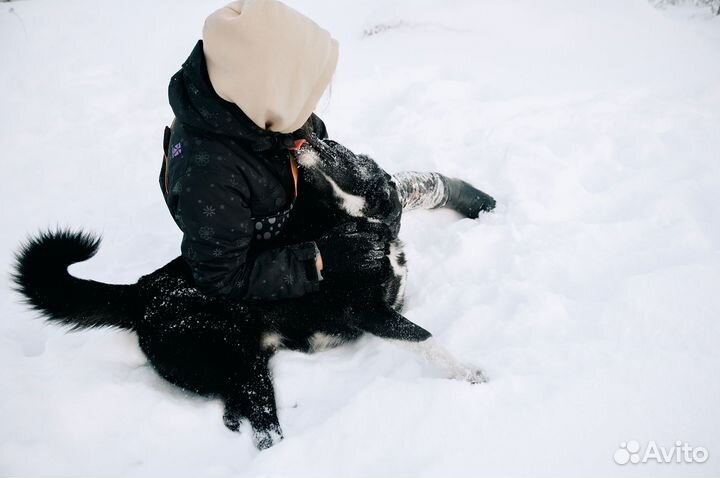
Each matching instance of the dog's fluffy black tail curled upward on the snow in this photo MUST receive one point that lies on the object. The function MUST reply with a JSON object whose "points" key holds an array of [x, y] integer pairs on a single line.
{"points": [[41, 275]]}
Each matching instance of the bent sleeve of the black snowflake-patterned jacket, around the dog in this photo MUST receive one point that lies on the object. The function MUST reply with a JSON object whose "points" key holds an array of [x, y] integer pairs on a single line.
{"points": [[210, 206]]}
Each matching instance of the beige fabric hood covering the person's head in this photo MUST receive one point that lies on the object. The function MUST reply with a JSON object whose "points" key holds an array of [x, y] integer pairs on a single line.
{"points": [[270, 60]]}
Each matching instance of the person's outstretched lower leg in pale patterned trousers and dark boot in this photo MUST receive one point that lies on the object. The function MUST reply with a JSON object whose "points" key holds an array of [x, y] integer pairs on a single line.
{"points": [[426, 190]]}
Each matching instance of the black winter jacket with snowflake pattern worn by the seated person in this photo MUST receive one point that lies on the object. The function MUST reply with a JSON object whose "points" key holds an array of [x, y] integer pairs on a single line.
{"points": [[229, 187]]}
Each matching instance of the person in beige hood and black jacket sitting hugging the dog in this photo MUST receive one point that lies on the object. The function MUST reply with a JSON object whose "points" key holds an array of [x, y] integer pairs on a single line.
{"points": [[243, 97]]}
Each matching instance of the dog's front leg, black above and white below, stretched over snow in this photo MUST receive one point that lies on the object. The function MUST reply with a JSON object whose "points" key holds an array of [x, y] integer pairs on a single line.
{"points": [[389, 324]]}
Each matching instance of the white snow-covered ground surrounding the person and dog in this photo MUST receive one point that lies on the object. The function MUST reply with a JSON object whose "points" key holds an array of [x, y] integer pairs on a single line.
{"points": [[590, 297]]}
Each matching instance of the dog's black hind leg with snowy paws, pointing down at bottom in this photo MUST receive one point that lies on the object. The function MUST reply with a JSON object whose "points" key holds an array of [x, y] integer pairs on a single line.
{"points": [[250, 395]]}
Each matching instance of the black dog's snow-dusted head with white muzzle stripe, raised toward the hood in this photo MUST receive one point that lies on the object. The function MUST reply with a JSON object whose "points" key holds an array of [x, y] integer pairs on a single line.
{"points": [[354, 184]]}
